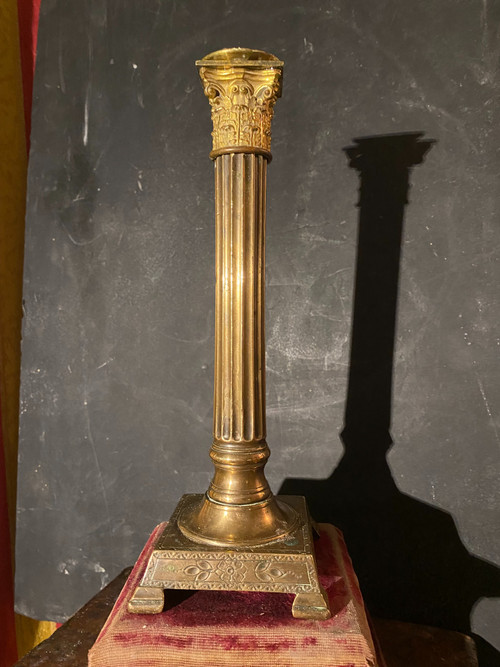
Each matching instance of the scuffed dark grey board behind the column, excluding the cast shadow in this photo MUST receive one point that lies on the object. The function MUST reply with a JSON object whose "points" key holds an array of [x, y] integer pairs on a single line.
{"points": [[118, 331]]}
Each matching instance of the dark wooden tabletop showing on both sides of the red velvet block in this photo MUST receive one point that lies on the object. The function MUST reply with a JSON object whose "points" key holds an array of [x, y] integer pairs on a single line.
{"points": [[402, 644]]}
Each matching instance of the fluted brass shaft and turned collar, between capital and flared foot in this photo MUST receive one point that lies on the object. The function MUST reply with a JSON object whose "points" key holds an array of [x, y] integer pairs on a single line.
{"points": [[239, 450]]}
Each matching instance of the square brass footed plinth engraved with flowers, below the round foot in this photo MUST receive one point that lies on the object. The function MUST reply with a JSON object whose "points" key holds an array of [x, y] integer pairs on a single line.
{"points": [[287, 565]]}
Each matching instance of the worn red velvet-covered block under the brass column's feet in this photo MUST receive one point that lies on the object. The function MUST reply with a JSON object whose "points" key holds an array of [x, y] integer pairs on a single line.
{"points": [[241, 628]]}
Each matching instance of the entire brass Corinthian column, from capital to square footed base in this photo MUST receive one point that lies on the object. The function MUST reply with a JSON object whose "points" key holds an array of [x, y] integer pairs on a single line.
{"points": [[238, 535]]}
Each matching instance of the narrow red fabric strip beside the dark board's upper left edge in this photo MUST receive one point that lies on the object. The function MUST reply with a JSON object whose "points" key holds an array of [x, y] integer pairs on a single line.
{"points": [[28, 13]]}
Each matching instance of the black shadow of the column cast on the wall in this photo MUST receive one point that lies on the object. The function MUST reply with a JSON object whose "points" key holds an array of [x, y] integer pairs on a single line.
{"points": [[408, 555]]}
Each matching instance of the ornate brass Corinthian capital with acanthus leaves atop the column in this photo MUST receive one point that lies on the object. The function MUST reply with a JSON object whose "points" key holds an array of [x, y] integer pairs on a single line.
{"points": [[242, 86]]}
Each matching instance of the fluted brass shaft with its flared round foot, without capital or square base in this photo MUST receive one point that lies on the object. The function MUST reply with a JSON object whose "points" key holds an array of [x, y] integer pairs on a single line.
{"points": [[239, 506]]}
